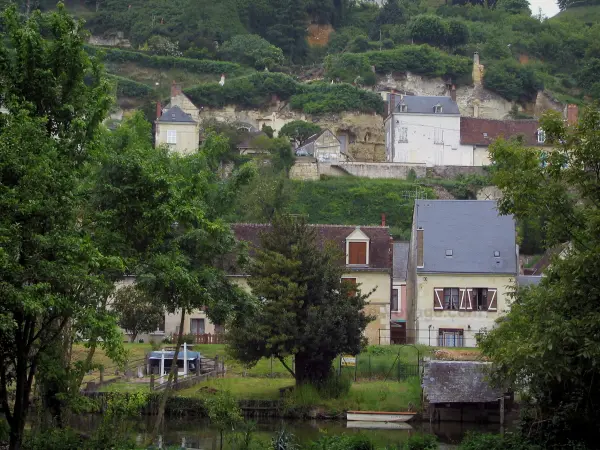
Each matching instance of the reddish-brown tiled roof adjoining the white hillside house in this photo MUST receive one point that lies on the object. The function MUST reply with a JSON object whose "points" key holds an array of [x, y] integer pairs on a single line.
{"points": [[474, 131]]}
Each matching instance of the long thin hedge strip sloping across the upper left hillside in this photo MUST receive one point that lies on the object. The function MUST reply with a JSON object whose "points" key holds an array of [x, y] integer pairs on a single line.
{"points": [[167, 62]]}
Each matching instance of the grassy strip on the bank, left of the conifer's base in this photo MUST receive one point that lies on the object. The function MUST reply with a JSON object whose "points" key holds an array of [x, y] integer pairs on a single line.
{"points": [[242, 388]]}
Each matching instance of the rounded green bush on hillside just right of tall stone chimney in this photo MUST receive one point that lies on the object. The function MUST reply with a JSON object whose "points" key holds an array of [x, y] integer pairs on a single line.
{"points": [[512, 80]]}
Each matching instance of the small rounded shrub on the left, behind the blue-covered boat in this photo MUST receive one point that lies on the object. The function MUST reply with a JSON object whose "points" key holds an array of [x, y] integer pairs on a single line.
{"points": [[137, 313]]}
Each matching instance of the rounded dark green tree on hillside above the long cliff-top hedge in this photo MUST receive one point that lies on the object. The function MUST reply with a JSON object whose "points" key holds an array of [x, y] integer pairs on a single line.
{"points": [[252, 50]]}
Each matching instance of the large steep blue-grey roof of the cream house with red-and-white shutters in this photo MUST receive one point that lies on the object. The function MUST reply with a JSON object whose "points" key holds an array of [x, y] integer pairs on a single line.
{"points": [[473, 230]]}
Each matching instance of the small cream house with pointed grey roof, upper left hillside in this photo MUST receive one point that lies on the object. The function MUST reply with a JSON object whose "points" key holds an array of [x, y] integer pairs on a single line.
{"points": [[178, 130]]}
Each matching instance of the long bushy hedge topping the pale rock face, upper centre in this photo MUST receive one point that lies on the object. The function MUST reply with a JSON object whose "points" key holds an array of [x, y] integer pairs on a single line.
{"points": [[256, 91]]}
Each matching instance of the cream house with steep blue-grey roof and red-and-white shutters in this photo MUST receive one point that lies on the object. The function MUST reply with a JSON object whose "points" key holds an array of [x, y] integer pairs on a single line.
{"points": [[463, 262]]}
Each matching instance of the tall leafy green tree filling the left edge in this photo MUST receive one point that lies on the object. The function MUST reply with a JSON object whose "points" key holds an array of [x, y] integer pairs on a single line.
{"points": [[56, 96]]}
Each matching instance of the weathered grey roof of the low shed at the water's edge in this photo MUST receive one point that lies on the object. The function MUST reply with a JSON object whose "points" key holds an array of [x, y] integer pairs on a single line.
{"points": [[458, 382]]}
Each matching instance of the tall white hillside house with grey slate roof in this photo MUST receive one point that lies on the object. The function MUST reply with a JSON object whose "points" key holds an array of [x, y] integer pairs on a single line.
{"points": [[425, 129]]}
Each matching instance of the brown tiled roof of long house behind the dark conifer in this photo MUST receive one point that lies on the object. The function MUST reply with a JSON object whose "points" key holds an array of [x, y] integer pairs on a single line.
{"points": [[380, 257]]}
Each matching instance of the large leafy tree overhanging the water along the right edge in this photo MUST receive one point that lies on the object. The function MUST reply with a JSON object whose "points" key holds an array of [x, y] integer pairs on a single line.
{"points": [[547, 347]]}
